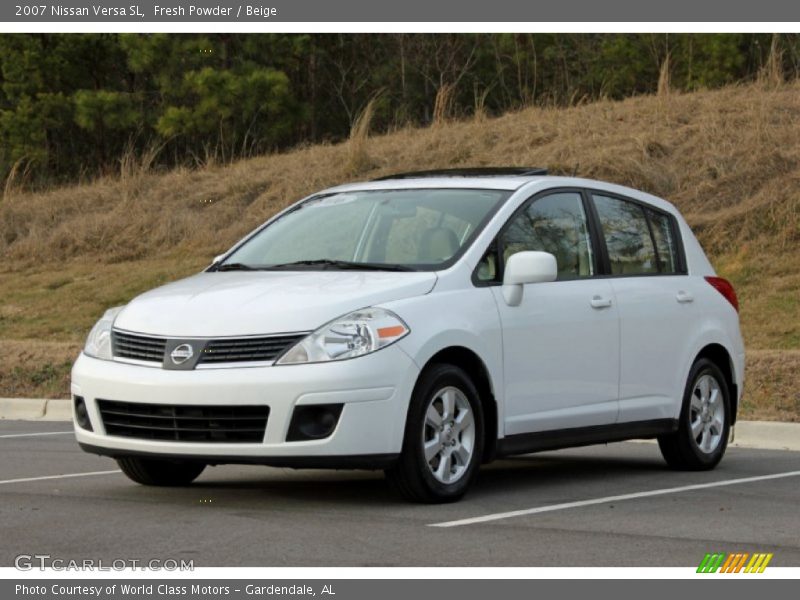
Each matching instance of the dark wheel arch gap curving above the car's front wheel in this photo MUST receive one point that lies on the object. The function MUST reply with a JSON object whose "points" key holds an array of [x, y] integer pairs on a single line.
{"points": [[475, 367]]}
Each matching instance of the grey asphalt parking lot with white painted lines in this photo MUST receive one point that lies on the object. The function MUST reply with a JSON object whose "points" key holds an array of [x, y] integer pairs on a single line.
{"points": [[612, 505]]}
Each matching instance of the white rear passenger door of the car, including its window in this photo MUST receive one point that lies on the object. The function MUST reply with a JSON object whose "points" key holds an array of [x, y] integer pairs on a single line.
{"points": [[655, 302]]}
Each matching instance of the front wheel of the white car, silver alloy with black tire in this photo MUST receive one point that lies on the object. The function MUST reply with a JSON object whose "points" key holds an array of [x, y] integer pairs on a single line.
{"points": [[443, 441]]}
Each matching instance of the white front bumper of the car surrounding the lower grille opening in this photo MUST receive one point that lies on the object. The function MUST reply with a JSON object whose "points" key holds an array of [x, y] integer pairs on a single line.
{"points": [[374, 390]]}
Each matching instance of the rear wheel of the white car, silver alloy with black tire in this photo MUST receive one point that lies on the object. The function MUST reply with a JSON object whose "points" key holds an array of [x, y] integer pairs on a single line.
{"points": [[704, 424]]}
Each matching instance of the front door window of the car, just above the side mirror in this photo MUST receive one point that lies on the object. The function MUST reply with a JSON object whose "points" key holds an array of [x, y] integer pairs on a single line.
{"points": [[556, 224]]}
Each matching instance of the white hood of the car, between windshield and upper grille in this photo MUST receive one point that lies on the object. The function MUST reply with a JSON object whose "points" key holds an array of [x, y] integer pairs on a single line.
{"points": [[239, 303]]}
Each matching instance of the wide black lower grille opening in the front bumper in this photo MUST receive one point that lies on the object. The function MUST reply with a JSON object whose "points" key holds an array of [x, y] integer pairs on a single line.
{"points": [[180, 423]]}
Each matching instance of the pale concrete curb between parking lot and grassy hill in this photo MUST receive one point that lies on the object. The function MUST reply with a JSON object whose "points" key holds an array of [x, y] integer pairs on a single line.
{"points": [[765, 435]]}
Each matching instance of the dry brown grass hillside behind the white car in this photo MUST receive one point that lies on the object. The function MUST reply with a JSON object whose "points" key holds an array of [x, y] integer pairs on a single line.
{"points": [[729, 159]]}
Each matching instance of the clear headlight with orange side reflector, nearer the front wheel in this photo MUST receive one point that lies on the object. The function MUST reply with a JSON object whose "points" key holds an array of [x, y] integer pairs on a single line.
{"points": [[359, 333]]}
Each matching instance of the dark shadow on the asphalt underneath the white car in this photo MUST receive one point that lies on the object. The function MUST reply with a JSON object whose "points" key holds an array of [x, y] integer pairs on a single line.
{"points": [[253, 486]]}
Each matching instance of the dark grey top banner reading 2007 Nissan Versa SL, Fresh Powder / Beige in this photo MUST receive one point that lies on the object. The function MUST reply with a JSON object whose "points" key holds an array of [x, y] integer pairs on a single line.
{"points": [[442, 11]]}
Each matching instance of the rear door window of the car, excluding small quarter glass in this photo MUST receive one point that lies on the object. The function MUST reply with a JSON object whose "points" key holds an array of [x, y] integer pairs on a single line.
{"points": [[627, 235]]}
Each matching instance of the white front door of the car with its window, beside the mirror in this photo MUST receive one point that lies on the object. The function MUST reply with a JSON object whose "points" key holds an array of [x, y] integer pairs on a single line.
{"points": [[561, 344]]}
